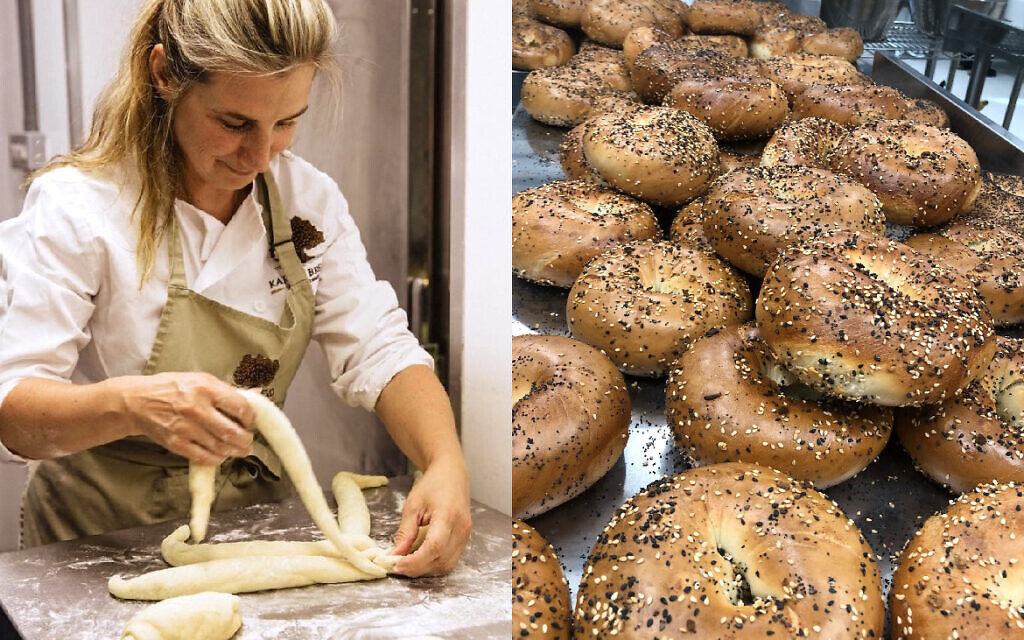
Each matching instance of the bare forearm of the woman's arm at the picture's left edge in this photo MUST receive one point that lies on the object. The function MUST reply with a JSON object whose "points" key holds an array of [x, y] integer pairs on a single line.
{"points": [[44, 418]]}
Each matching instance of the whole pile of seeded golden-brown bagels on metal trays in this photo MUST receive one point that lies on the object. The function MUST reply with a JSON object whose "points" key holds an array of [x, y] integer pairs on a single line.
{"points": [[731, 179]]}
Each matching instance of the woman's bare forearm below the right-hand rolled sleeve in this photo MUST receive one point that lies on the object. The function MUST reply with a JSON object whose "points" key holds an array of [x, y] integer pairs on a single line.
{"points": [[418, 415]]}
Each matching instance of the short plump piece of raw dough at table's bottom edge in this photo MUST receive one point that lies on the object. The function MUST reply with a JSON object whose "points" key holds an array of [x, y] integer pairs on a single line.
{"points": [[199, 617]]}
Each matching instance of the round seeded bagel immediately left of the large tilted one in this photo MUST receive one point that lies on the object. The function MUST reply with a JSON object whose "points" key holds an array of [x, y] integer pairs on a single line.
{"points": [[645, 304]]}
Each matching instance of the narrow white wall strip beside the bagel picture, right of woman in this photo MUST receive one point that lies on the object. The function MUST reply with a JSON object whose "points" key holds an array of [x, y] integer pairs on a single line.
{"points": [[482, 243]]}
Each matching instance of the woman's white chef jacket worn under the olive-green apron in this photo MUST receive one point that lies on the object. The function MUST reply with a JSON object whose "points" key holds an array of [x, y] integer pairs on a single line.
{"points": [[72, 309]]}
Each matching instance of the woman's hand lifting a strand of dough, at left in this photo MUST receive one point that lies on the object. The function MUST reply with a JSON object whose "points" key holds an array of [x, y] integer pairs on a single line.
{"points": [[191, 414]]}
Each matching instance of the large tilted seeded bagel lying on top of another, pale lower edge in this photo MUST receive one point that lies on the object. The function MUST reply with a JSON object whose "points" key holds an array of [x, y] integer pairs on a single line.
{"points": [[866, 319]]}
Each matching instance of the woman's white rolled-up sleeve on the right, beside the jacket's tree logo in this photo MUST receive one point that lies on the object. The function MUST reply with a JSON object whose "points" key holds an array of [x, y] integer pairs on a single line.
{"points": [[364, 331]]}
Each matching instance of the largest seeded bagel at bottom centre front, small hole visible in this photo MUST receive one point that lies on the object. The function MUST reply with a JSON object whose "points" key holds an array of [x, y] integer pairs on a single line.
{"points": [[730, 551]]}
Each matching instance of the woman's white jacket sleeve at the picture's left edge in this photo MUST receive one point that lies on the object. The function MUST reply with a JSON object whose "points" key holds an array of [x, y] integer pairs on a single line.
{"points": [[49, 278]]}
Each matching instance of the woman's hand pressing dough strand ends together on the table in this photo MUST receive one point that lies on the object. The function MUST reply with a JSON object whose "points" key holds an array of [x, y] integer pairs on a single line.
{"points": [[441, 499]]}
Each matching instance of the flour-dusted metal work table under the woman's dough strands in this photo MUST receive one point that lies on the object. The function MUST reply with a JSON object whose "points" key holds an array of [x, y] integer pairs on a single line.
{"points": [[60, 591]]}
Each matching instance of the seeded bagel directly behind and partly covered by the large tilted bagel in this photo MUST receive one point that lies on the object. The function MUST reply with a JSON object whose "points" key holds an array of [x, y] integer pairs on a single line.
{"points": [[752, 215]]}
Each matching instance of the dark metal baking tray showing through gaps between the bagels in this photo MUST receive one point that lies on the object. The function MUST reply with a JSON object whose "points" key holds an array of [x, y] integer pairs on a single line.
{"points": [[889, 500]]}
